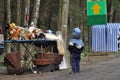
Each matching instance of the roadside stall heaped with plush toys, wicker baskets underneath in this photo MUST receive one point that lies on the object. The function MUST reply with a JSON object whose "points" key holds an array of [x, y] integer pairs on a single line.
{"points": [[41, 51]]}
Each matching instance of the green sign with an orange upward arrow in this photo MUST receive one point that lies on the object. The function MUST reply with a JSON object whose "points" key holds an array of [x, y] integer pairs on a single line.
{"points": [[96, 12]]}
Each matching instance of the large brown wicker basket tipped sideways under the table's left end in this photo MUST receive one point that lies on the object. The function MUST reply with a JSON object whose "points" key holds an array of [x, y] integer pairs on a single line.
{"points": [[12, 61]]}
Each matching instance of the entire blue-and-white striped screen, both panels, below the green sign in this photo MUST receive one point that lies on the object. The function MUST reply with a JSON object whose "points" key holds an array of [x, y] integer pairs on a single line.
{"points": [[104, 37]]}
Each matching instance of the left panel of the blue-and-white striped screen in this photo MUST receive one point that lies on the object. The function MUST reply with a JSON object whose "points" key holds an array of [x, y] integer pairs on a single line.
{"points": [[98, 38]]}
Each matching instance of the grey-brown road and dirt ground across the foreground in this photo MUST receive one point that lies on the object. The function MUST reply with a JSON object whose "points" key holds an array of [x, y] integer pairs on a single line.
{"points": [[101, 70]]}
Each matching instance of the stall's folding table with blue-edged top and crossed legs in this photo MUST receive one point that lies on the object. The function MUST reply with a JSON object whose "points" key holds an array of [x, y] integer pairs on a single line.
{"points": [[29, 44]]}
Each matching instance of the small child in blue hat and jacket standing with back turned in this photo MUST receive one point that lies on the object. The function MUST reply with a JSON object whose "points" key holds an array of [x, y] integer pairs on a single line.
{"points": [[75, 48]]}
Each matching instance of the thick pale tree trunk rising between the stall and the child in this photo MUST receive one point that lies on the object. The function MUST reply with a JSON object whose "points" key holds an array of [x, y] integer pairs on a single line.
{"points": [[63, 23]]}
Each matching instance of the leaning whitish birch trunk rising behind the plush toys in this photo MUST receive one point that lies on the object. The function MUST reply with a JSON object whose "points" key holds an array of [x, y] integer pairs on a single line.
{"points": [[35, 13]]}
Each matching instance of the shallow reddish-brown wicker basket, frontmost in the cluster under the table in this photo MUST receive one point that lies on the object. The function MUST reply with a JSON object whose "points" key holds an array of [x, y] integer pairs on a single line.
{"points": [[42, 61]]}
